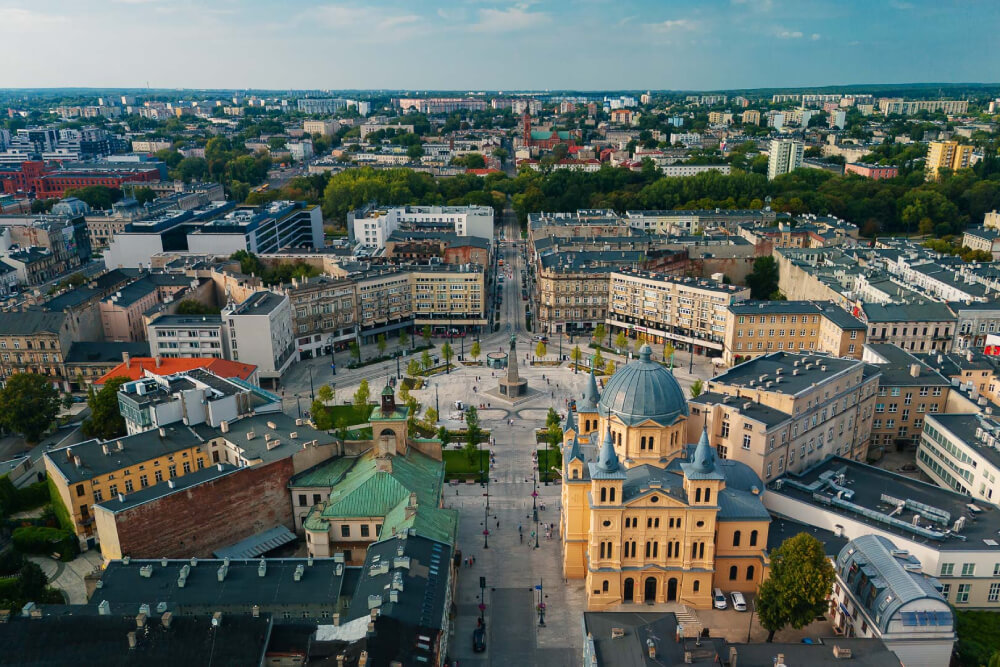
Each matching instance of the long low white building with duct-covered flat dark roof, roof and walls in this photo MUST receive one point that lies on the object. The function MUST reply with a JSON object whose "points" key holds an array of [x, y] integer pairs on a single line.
{"points": [[951, 536]]}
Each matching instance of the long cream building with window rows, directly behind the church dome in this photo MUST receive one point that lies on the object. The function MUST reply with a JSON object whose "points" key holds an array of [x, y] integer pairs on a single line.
{"points": [[664, 308]]}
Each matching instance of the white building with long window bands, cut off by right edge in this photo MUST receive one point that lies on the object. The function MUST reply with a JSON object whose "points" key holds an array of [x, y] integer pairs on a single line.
{"points": [[959, 452]]}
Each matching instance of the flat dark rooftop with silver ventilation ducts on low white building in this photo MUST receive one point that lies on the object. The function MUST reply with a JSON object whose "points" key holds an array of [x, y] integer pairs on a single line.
{"points": [[869, 495]]}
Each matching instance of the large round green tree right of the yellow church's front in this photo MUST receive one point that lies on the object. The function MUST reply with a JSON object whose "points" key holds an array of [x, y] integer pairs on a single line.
{"points": [[796, 591]]}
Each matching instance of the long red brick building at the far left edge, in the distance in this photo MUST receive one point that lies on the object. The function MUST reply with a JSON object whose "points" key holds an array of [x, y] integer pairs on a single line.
{"points": [[48, 182]]}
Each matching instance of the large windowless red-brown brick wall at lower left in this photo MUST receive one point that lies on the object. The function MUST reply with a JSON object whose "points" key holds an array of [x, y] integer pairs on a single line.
{"points": [[198, 520]]}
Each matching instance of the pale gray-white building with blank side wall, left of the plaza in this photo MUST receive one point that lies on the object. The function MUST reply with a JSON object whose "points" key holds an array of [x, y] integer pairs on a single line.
{"points": [[259, 332]]}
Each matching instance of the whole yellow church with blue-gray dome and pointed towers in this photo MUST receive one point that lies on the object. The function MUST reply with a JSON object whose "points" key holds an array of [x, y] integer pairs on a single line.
{"points": [[653, 518]]}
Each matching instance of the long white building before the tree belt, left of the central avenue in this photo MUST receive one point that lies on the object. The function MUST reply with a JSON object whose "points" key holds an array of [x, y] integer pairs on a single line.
{"points": [[372, 226]]}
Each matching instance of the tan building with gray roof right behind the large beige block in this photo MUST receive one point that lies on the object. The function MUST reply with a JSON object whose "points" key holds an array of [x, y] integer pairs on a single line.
{"points": [[909, 390]]}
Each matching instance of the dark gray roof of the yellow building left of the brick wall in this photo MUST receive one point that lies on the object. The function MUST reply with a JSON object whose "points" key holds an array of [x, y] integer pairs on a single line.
{"points": [[136, 449]]}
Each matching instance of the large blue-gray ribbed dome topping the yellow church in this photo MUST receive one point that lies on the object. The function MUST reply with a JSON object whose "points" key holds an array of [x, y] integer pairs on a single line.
{"points": [[643, 390]]}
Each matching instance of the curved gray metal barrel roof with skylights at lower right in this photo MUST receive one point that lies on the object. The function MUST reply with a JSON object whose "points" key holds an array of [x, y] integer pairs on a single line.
{"points": [[894, 585]]}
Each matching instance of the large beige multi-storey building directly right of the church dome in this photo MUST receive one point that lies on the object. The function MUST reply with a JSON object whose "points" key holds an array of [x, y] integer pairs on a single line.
{"points": [[786, 412]]}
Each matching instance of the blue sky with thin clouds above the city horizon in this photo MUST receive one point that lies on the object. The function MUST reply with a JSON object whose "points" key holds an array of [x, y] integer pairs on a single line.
{"points": [[471, 45]]}
